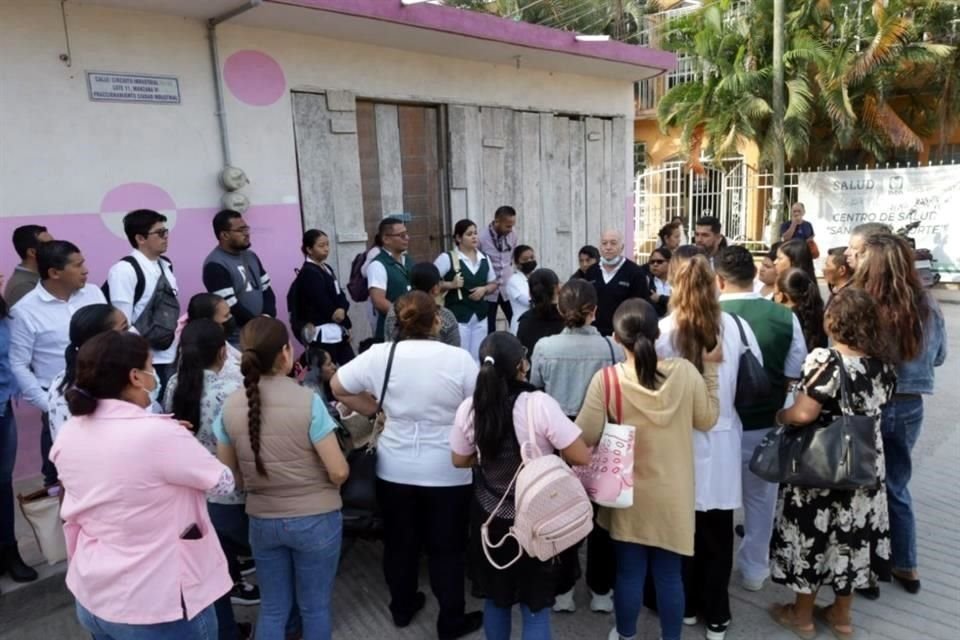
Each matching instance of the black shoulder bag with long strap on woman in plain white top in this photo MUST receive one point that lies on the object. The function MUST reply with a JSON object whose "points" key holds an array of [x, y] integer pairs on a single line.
{"points": [[360, 511]]}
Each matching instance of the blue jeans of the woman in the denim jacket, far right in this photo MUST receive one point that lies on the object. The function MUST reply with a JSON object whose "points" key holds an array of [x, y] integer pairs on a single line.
{"points": [[900, 426]]}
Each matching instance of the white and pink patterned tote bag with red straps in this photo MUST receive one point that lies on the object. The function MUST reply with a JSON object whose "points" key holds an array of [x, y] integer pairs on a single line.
{"points": [[608, 478]]}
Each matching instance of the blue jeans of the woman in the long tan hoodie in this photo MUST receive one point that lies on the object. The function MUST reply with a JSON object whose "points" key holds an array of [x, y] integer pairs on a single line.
{"points": [[666, 567]]}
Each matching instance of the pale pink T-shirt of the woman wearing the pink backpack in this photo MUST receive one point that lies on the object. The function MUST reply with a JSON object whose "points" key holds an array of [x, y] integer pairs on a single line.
{"points": [[551, 427]]}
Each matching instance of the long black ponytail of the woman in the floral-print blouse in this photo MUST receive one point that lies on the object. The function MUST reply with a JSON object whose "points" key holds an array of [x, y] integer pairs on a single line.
{"points": [[200, 345]]}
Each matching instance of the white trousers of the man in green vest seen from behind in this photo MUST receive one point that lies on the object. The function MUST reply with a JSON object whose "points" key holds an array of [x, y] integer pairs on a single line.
{"points": [[759, 508]]}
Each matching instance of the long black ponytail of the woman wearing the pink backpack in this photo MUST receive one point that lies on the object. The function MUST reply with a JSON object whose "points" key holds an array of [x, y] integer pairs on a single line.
{"points": [[497, 389]]}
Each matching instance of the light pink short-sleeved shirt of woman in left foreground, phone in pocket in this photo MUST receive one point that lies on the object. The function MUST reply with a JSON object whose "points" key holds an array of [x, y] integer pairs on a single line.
{"points": [[135, 481]]}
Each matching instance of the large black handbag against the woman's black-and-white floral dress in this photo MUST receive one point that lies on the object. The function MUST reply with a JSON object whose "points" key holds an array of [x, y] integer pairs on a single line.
{"points": [[839, 455]]}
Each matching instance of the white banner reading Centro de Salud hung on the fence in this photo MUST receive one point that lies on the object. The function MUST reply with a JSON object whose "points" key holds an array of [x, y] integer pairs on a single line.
{"points": [[837, 201]]}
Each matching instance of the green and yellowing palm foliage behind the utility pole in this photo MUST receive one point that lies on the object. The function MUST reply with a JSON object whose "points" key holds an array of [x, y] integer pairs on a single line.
{"points": [[853, 80]]}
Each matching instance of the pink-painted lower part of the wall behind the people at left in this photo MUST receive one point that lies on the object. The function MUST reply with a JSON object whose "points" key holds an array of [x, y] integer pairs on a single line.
{"points": [[276, 231]]}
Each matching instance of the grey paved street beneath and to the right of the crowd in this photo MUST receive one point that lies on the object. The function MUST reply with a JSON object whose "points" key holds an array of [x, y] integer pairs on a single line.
{"points": [[44, 610]]}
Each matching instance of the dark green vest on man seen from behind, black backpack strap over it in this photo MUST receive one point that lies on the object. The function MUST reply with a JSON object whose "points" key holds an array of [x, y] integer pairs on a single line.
{"points": [[772, 324]]}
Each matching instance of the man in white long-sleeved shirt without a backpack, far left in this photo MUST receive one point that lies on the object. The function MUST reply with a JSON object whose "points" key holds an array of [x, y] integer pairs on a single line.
{"points": [[40, 329]]}
